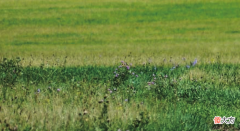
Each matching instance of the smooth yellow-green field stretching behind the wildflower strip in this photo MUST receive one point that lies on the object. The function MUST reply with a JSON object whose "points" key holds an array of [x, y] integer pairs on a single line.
{"points": [[105, 32]]}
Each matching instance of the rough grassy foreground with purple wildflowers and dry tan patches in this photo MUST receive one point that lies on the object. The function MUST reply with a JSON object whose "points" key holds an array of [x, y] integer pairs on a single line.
{"points": [[126, 97]]}
